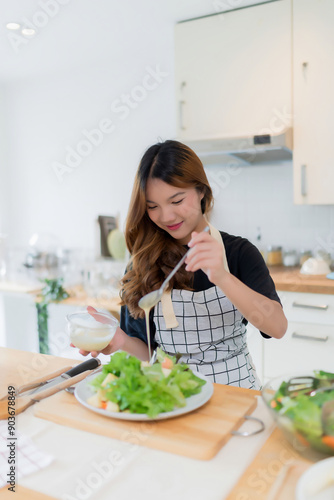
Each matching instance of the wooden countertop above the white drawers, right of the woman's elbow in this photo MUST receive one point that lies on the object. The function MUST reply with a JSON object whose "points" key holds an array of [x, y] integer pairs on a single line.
{"points": [[290, 280]]}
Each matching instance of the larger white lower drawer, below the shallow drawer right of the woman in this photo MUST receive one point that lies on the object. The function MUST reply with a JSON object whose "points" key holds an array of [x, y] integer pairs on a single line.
{"points": [[305, 346]]}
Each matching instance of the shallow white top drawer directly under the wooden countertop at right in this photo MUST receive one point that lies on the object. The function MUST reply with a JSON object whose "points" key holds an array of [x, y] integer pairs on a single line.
{"points": [[308, 307]]}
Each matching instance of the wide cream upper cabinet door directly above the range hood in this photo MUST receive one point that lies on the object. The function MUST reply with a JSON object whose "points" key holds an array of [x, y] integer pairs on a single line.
{"points": [[233, 72]]}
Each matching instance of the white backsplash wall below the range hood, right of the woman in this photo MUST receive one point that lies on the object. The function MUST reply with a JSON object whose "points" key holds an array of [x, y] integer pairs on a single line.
{"points": [[259, 199]]}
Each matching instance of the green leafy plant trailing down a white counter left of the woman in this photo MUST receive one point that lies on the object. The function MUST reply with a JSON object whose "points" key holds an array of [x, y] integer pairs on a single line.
{"points": [[53, 291]]}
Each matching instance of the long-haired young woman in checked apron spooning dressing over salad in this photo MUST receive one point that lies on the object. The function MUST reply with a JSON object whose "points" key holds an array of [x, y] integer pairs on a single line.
{"points": [[224, 284]]}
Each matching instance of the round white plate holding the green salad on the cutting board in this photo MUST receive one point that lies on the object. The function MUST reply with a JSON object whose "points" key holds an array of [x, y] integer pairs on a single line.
{"points": [[83, 391]]}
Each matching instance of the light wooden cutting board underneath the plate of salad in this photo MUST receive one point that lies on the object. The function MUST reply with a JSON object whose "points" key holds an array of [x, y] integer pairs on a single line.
{"points": [[199, 434]]}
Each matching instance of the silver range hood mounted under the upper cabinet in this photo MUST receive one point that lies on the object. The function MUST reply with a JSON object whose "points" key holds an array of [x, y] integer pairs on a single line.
{"points": [[254, 149]]}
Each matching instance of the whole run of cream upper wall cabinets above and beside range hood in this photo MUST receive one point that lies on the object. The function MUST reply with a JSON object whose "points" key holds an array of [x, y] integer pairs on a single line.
{"points": [[261, 70]]}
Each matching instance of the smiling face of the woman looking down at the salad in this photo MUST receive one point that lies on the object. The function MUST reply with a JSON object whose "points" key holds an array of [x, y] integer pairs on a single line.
{"points": [[175, 210]]}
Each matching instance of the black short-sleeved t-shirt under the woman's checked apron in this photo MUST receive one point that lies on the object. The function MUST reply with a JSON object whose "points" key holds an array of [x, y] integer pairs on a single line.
{"points": [[245, 263]]}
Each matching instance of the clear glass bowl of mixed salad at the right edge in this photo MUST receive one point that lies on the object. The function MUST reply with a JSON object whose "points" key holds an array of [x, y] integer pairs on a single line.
{"points": [[302, 405]]}
